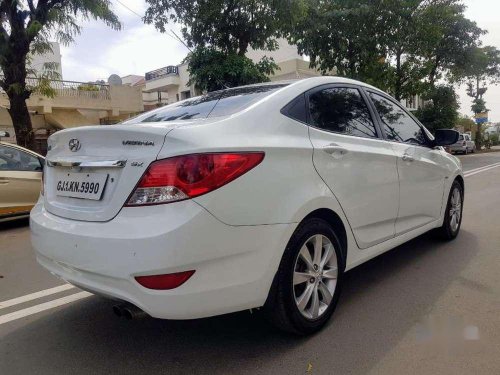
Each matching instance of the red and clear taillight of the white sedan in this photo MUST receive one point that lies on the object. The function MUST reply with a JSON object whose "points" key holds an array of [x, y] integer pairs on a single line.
{"points": [[189, 176]]}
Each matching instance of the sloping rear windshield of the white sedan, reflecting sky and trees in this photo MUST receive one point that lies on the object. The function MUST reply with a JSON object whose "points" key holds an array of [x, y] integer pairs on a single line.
{"points": [[214, 104]]}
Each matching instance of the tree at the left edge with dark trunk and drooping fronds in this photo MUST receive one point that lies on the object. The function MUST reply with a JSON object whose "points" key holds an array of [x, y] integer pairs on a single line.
{"points": [[25, 26]]}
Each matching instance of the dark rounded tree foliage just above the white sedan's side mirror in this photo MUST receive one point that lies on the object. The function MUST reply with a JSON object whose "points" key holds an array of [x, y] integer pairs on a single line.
{"points": [[440, 110]]}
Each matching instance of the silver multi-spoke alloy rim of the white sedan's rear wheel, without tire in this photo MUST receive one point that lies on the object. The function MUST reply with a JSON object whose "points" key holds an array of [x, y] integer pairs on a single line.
{"points": [[315, 276]]}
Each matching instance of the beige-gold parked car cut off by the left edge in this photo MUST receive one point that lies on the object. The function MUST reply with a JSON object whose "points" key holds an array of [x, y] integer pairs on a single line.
{"points": [[20, 180]]}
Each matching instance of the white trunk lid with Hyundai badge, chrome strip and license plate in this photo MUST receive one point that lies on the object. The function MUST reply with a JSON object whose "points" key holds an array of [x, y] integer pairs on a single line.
{"points": [[91, 171]]}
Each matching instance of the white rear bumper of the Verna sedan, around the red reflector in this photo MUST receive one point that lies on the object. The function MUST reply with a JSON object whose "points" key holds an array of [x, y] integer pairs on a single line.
{"points": [[234, 265]]}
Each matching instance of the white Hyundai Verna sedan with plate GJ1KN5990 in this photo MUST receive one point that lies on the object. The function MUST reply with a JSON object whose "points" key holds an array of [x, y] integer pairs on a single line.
{"points": [[253, 197]]}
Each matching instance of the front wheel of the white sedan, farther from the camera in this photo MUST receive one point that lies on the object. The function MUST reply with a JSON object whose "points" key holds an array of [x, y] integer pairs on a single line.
{"points": [[454, 209]]}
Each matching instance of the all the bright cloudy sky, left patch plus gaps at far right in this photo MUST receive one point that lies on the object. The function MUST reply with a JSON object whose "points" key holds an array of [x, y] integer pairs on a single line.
{"points": [[100, 51]]}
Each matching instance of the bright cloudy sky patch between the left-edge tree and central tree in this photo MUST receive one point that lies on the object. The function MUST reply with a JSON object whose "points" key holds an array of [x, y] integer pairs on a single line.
{"points": [[137, 48]]}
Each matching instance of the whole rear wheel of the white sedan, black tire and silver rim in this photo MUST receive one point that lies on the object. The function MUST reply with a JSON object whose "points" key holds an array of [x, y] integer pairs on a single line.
{"points": [[305, 291]]}
